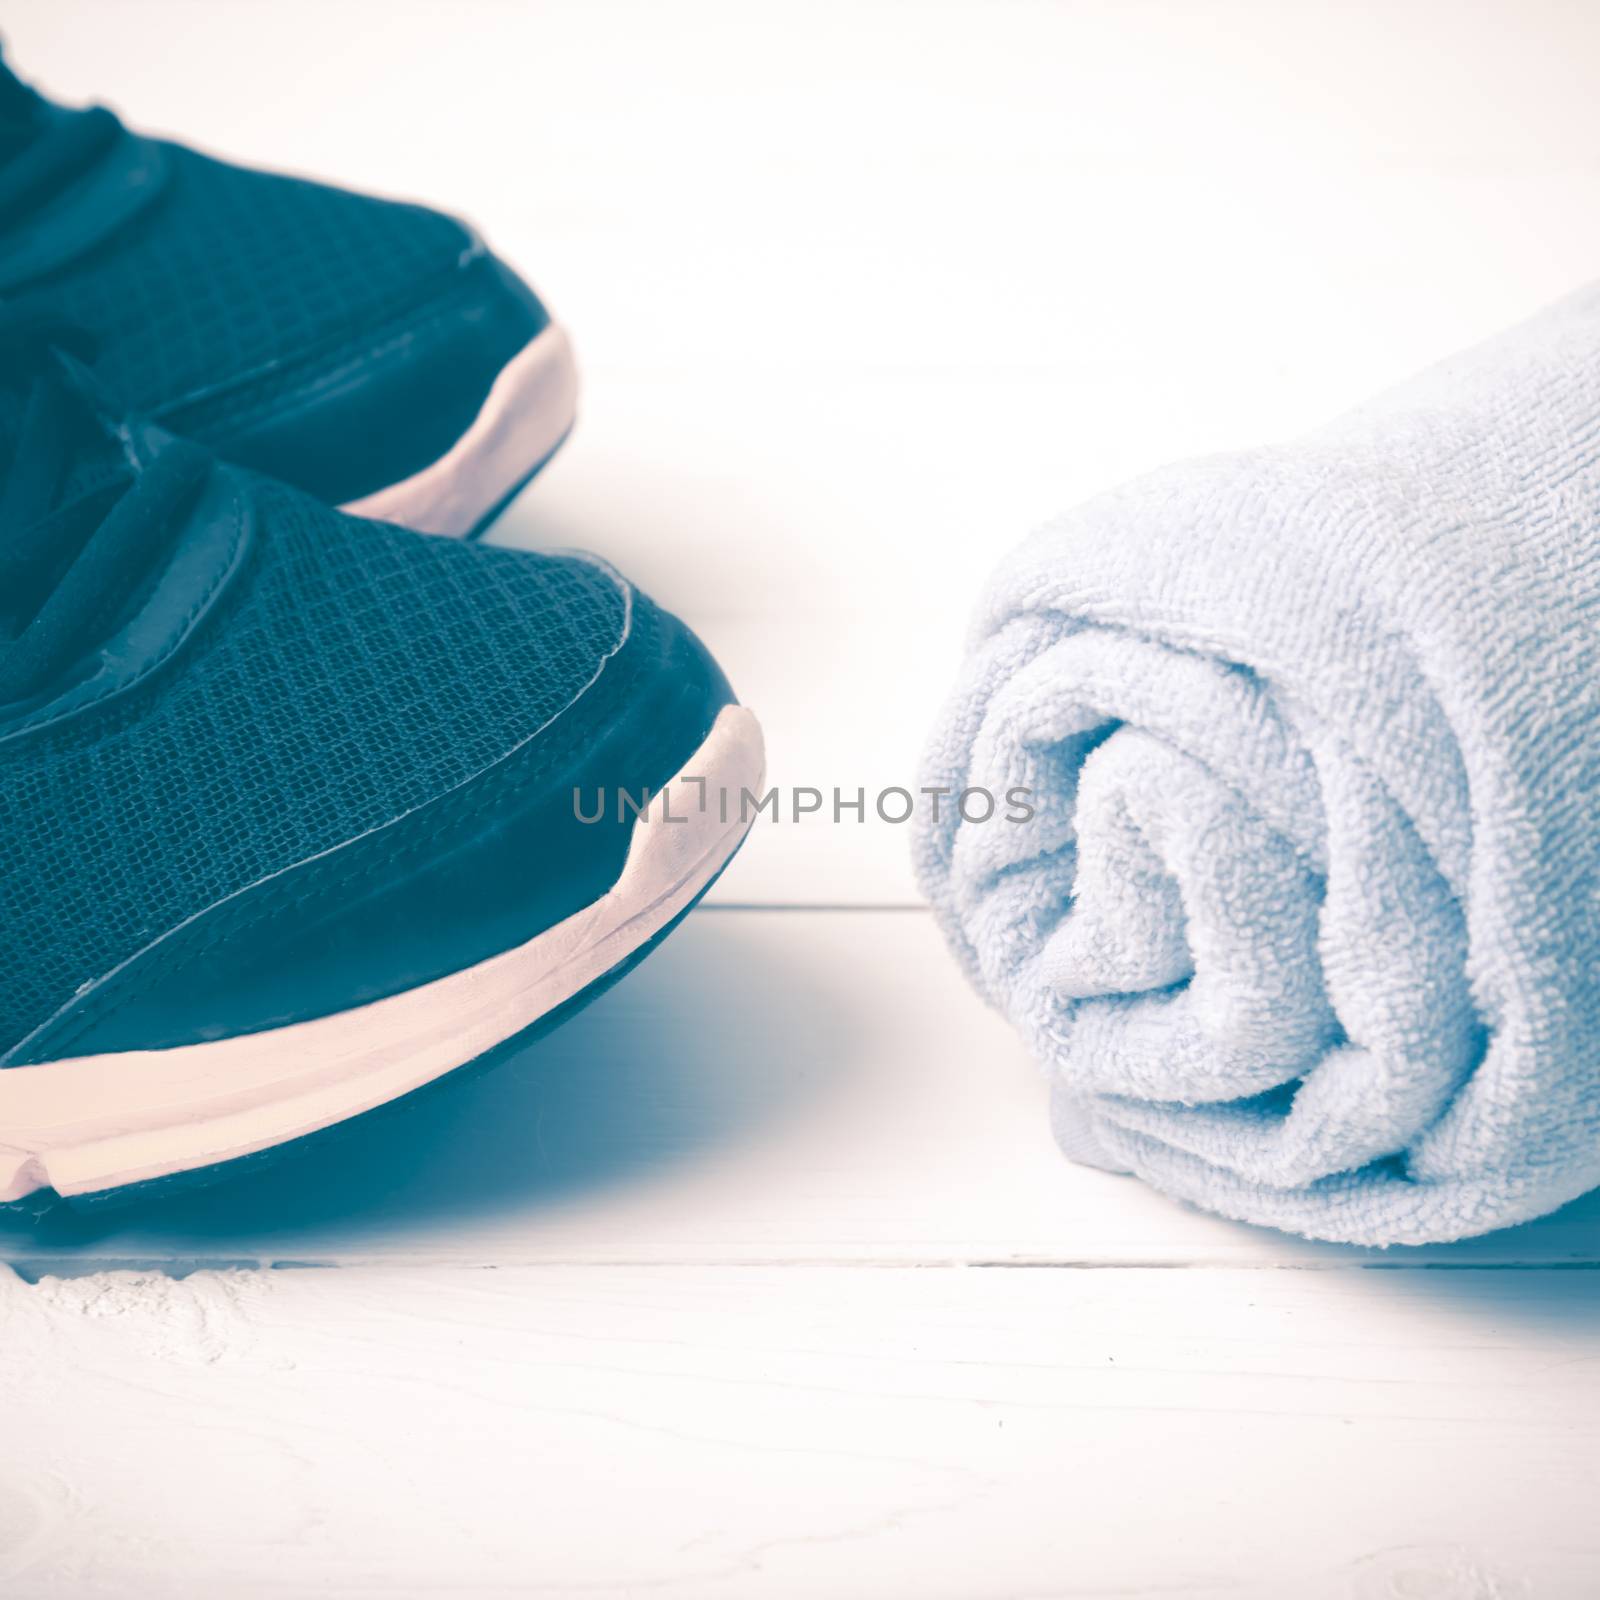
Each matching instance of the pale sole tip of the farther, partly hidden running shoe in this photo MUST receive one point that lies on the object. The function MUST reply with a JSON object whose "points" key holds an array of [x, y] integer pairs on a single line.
{"points": [[529, 412]]}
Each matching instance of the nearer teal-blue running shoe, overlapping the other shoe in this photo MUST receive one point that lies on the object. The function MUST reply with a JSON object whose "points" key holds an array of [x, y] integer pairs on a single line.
{"points": [[303, 812]]}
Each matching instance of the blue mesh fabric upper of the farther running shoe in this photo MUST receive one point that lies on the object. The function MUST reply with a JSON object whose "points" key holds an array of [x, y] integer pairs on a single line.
{"points": [[231, 270]]}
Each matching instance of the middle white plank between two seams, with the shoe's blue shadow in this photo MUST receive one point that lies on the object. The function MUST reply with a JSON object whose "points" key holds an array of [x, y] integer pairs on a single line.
{"points": [[798, 1087]]}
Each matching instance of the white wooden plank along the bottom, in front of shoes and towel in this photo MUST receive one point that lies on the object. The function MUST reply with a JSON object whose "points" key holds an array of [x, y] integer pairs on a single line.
{"points": [[802, 1433]]}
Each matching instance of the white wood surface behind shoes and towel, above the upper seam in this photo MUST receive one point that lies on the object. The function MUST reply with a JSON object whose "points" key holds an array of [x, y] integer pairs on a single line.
{"points": [[860, 302]]}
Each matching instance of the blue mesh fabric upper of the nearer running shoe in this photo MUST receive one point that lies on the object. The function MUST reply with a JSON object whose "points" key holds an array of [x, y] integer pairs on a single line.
{"points": [[356, 673]]}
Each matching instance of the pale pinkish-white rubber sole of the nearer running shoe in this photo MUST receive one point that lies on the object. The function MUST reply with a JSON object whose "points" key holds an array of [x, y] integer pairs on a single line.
{"points": [[100, 1122]]}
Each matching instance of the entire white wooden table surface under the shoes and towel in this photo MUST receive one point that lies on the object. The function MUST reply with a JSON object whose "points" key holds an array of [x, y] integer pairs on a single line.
{"points": [[764, 1278]]}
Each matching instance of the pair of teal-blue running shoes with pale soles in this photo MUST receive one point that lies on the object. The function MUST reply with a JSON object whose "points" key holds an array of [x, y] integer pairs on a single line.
{"points": [[306, 798]]}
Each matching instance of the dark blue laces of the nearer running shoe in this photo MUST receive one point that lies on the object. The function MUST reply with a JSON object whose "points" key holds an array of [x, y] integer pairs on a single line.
{"points": [[70, 561]]}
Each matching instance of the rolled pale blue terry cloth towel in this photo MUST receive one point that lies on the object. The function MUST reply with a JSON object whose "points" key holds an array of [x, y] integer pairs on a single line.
{"points": [[1306, 926]]}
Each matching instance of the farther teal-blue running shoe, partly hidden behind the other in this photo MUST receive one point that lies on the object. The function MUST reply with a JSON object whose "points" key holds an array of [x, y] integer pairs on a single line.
{"points": [[369, 353]]}
